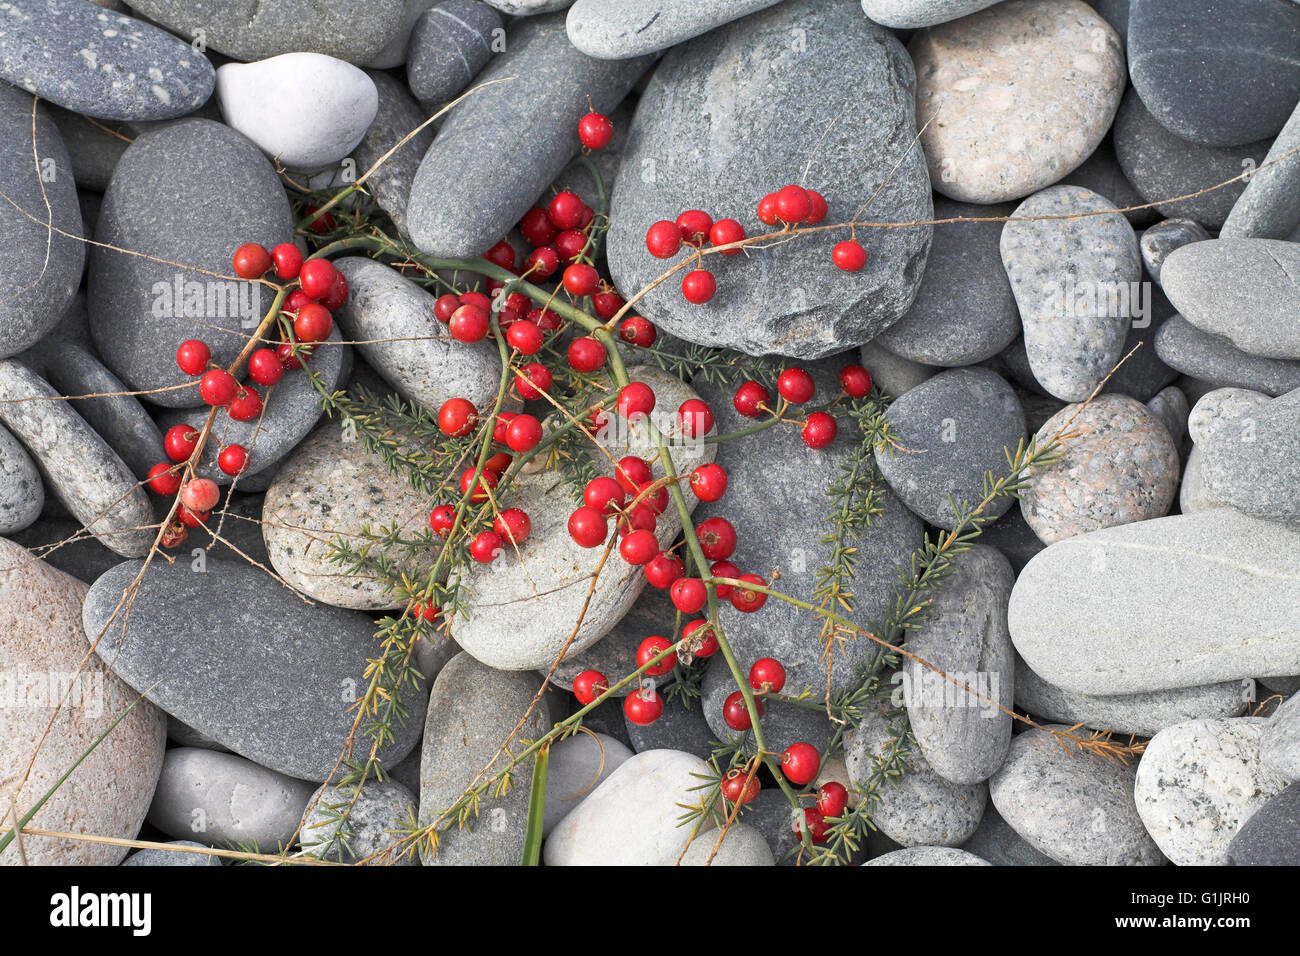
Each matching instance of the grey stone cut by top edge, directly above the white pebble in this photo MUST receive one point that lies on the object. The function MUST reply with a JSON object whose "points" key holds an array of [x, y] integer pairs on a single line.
{"points": [[353, 31]]}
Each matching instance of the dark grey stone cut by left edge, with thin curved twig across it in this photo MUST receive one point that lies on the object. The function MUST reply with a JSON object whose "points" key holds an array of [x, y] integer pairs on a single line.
{"points": [[45, 269]]}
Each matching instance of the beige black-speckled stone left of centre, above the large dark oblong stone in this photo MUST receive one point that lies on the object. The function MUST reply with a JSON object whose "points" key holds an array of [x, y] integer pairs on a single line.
{"points": [[332, 488]]}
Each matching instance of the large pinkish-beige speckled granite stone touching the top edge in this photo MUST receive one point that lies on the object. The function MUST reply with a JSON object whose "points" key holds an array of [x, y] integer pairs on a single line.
{"points": [[1015, 97]]}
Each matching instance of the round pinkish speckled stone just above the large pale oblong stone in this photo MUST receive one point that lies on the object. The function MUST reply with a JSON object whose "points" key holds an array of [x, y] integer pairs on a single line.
{"points": [[1119, 466]]}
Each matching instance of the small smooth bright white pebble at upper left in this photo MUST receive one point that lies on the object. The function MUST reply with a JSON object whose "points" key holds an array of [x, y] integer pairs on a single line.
{"points": [[322, 109]]}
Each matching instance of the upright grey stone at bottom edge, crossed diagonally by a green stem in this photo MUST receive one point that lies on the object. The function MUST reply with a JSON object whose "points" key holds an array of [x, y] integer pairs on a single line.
{"points": [[473, 712]]}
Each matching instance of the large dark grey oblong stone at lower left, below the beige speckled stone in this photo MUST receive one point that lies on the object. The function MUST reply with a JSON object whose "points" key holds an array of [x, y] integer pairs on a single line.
{"points": [[280, 684]]}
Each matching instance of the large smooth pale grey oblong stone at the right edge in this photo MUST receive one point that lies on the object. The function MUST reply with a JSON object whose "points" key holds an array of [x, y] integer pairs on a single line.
{"points": [[1176, 602]]}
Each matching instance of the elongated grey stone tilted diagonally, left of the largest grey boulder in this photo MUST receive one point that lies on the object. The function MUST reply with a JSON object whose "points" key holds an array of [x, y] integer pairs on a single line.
{"points": [[448, 214]]}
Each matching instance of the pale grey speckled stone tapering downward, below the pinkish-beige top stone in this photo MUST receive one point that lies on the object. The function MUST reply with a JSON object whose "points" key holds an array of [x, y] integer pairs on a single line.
{"points": [[1074, 283]]}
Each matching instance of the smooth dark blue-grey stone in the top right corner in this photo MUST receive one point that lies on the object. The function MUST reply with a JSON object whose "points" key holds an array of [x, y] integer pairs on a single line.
{"points": [[1216, 72]]}
